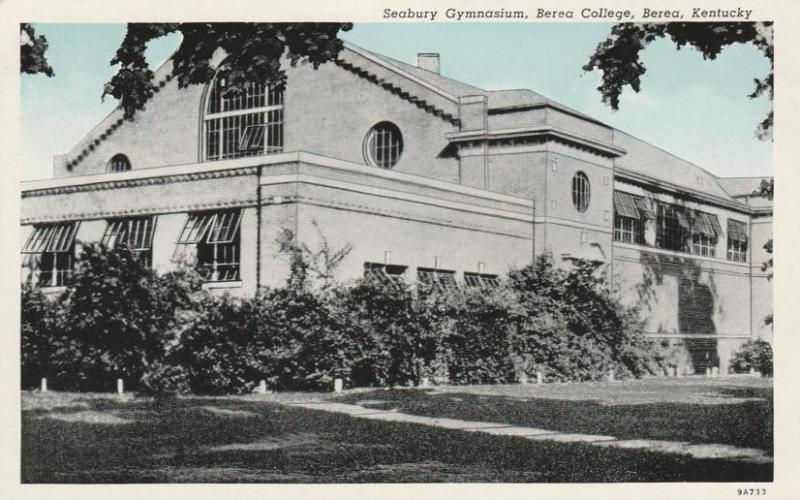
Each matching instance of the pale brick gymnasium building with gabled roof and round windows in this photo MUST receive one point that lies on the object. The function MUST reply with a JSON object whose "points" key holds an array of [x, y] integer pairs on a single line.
{"points": [[424, 176]]}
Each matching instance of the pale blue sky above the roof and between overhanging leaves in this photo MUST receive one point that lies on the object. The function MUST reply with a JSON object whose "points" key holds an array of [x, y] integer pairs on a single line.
{"points": [[698, 110]]}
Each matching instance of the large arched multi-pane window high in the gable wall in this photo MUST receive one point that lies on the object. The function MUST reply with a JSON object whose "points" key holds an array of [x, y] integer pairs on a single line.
{"points": [[249, 123]]}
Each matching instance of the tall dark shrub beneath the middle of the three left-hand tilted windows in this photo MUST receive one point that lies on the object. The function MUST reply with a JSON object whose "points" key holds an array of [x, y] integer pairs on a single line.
{"points": [[119, 319]]}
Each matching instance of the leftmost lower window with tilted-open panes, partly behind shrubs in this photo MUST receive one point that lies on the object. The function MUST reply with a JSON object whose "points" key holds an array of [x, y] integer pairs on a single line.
{"points": [[50, 250]]}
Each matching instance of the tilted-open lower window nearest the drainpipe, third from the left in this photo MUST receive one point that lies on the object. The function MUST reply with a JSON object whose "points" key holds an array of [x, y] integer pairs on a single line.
{"points": [[216, 236]]}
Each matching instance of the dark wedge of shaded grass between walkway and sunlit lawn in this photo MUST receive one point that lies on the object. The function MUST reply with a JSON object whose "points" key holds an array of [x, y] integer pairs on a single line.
{"points": [[744, 422]]}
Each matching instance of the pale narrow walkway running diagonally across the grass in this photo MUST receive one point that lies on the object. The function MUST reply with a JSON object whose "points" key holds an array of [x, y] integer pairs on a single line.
{"points": [[695, 450]]}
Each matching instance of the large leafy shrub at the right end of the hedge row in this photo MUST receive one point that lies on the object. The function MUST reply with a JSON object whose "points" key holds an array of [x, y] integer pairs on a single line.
{"points": [[576, 329]]}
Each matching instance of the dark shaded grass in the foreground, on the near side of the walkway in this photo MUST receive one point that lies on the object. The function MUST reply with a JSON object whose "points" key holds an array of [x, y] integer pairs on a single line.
{"points": [[231, 440]]}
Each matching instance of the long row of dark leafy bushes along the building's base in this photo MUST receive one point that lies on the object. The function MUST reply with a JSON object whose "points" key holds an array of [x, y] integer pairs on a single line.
{"points": [[159, 333]]}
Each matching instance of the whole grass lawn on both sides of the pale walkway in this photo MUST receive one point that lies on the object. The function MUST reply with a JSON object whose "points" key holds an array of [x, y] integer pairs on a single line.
{"points": [[87, 438]]}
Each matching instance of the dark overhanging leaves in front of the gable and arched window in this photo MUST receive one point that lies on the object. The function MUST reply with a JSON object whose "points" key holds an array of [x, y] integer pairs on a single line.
{"points": [[254, 52]]}
